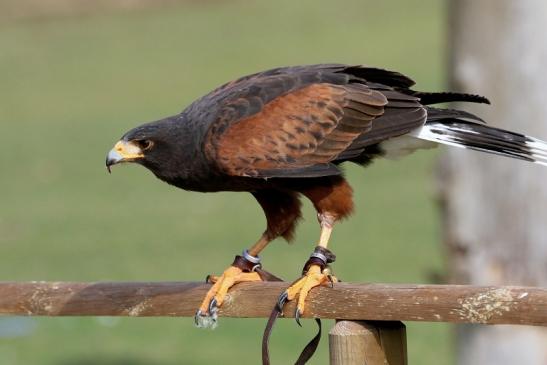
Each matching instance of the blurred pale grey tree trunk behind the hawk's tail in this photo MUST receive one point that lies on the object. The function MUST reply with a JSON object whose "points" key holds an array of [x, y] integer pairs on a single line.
{"points": [[495, 209]]}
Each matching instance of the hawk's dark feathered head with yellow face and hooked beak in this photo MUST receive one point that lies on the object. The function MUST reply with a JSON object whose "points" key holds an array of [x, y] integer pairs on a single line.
{"points": [[154, 145]]}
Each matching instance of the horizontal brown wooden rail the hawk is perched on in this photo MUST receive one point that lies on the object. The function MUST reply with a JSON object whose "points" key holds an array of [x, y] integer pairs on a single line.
{"points": [[393, 302]]}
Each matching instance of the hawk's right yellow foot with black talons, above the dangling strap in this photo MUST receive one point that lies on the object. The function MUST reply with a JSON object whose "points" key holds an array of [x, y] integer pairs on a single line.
{"points": [[312, 278]]}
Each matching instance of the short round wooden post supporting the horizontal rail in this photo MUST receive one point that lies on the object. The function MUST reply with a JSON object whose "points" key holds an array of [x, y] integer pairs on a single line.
{"points": [[368, 343]]}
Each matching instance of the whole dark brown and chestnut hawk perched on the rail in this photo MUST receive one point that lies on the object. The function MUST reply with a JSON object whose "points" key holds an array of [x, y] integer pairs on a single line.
{"points": [[283, 133]]}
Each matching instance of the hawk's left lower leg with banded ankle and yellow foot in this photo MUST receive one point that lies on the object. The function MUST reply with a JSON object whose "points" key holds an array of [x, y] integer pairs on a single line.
{"points": [[242, 270]]}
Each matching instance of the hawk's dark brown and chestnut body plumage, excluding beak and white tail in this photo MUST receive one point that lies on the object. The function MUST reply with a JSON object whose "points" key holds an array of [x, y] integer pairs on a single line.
{"points": [[283, 132]]}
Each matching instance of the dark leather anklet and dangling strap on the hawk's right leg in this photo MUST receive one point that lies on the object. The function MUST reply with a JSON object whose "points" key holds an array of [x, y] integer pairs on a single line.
{"points": [[322, 257]]}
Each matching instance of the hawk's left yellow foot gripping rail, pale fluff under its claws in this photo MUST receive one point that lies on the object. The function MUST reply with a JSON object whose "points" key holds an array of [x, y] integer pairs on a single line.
{"points": [[206, 316]]}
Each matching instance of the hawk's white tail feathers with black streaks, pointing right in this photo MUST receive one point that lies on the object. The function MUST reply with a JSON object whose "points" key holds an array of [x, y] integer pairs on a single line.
{"points": [[464, 134]]}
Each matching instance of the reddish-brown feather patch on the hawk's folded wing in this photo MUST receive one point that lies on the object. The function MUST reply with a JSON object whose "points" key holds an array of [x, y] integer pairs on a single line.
{"points": [[304, 129]]}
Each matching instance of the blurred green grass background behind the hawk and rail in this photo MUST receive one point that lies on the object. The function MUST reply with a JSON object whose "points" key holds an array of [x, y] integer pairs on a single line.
{"points": [[70, 86]]}
